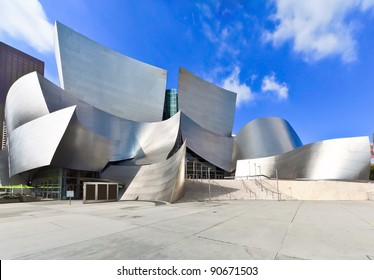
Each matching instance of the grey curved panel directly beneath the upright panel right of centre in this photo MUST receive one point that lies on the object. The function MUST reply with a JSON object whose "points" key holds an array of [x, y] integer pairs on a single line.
{"points": [[212, 147]]}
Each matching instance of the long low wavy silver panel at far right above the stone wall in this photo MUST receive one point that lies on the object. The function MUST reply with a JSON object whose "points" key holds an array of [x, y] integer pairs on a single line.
{"points": [[336, 159]]}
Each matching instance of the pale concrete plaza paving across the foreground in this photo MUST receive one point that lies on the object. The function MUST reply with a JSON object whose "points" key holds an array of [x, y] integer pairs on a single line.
{"points": [[236, 229]]}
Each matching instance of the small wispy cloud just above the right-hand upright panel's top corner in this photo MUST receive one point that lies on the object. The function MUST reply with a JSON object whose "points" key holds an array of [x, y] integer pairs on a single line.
{"points": [[232, 83]]}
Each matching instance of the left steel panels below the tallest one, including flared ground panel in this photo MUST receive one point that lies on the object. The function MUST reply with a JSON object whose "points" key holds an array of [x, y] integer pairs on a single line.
{"points": [[85, 138]]}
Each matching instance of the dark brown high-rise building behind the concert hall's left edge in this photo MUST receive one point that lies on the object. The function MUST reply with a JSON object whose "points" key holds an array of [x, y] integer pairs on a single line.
{"points": [[13, 65]]}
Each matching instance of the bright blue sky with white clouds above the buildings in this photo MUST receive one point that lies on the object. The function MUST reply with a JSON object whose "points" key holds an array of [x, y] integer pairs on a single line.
{"points": [[310, 62]]}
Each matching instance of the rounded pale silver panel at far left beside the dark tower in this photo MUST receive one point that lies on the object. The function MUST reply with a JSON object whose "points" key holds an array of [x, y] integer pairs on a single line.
{"points": [[24, 102]]}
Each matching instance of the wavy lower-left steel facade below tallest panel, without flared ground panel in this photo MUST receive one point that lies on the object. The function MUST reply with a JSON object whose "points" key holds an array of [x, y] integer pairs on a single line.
{"points": [[90, 129]]}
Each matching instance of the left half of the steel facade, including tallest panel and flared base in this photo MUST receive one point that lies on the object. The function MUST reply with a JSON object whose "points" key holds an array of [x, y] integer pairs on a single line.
{"points": [[98, 121]]}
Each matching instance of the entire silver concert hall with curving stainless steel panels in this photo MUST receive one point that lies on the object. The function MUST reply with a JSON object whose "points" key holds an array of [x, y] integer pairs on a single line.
{"points": [[105, 124]]}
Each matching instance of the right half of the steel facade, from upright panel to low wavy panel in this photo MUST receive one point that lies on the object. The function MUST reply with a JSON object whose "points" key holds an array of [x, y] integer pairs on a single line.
{"points": [[206, 126]]}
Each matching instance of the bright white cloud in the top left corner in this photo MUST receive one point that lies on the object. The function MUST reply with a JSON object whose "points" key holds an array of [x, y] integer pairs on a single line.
{"points": [[26, 21]]}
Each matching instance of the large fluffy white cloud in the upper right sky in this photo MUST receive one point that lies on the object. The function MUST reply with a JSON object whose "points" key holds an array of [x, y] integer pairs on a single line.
{"points": [[318, 28]]}
